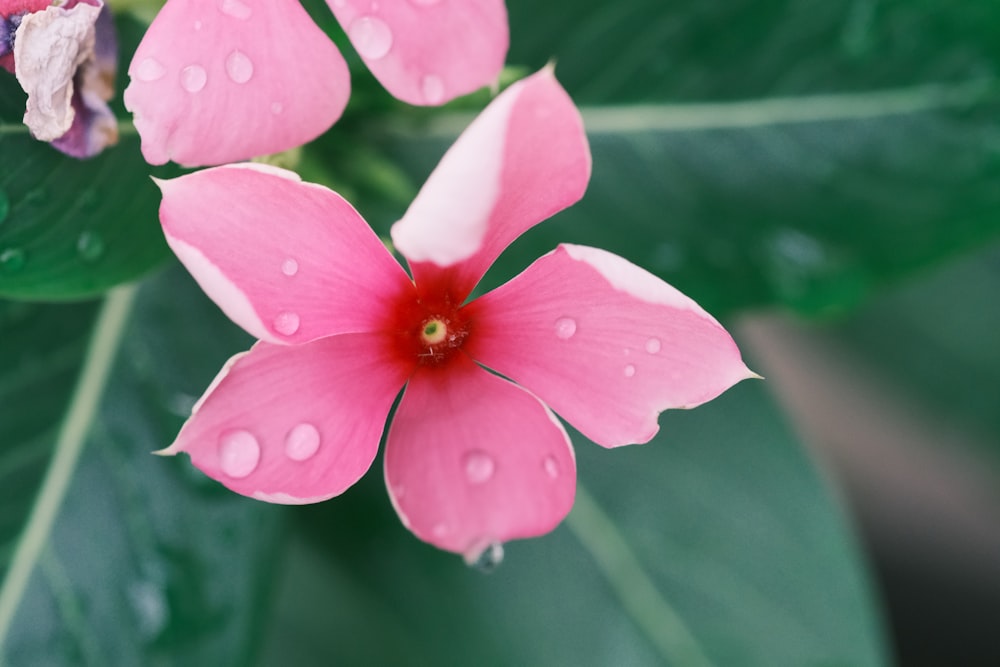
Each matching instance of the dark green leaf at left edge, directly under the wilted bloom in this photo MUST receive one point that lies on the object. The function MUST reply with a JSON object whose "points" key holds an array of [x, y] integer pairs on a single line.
{"points": [[73, 228]]}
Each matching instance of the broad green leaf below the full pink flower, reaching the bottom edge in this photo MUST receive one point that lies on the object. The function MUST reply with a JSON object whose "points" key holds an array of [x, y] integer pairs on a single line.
{"points": [[717, 543]]}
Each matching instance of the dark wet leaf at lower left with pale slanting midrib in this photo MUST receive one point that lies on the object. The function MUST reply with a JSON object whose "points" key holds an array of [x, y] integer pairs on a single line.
{"points": [[126, 558]]}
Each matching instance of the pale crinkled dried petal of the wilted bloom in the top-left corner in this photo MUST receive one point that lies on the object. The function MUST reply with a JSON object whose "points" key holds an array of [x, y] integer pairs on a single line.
{"points": [[49, 46]]}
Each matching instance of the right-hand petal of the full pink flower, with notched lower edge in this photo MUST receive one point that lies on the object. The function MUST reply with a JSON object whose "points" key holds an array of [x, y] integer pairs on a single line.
{"points": [[603, 342]]}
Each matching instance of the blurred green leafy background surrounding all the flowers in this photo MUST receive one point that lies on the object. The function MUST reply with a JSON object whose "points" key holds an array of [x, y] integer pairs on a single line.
{"points": [[819, 175]]}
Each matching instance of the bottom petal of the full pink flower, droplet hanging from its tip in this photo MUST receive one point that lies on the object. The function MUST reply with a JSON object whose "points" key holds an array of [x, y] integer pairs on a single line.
{"points": [[472, 459]]}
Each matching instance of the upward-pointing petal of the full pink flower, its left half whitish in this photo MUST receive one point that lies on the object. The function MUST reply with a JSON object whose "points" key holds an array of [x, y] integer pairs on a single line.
{"points": [[522, 160]]}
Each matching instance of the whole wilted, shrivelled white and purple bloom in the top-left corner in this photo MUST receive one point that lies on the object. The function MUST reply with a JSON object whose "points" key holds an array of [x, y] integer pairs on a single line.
{"points": [[64, 55]]}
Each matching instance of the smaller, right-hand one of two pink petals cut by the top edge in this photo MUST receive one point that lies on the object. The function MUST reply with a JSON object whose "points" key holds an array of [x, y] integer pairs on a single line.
{"points": [[428, 51]]}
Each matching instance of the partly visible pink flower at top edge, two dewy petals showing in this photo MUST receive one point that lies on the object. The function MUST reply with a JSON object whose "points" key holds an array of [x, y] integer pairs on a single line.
{"points": [[217, 81]]}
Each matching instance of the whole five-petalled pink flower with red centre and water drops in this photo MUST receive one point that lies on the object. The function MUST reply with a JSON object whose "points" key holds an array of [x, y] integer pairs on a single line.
{"points": [[472, 458]]}
